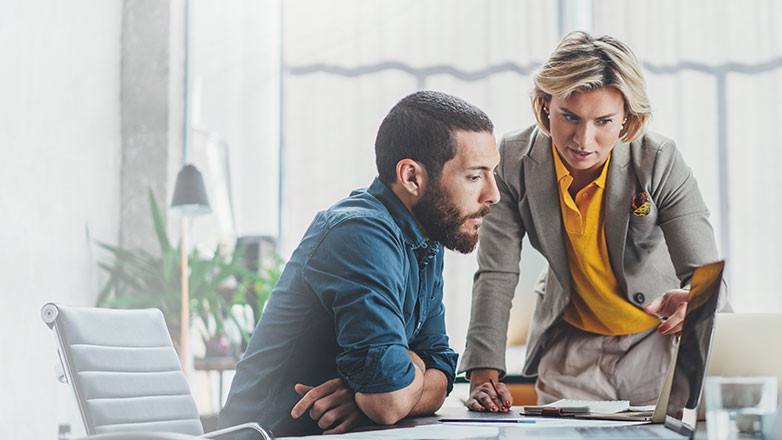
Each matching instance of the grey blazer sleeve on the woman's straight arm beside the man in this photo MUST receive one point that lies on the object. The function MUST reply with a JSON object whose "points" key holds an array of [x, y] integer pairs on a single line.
{"points": [[499, 251]]}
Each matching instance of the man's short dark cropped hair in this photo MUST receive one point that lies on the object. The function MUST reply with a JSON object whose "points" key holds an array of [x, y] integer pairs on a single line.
{"points": [[420, 127]]}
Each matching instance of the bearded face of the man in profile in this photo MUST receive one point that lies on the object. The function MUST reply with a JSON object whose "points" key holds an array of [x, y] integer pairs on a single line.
{"points": [[452, 207]]}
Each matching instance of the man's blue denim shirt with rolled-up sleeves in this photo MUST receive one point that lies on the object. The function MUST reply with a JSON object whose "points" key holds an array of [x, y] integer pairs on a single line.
{"points": [[363, 287]]}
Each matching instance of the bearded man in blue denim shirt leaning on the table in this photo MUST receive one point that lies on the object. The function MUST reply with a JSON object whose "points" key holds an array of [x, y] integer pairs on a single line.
{"points": [[355, 326]]}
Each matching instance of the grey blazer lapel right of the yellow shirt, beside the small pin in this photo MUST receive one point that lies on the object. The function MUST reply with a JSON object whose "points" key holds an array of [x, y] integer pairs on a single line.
{"points": [[618, 199]]}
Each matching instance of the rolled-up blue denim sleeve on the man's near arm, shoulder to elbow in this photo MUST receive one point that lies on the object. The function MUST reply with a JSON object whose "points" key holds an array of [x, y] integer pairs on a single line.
{"points": [[358, 273]]}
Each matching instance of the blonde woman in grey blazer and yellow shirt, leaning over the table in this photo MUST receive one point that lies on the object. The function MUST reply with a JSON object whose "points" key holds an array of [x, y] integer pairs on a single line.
{"points": [[620, 220]]}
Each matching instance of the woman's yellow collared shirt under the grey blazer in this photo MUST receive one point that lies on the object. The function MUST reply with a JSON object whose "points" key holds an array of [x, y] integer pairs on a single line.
{"points": [[596, 304]]}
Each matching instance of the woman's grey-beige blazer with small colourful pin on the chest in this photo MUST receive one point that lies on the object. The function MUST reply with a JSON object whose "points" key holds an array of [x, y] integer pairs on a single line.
{"points": [[649, 254]]}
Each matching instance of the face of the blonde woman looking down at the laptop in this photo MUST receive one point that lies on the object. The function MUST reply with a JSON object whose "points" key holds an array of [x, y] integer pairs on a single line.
{"points": [[585, 128]]}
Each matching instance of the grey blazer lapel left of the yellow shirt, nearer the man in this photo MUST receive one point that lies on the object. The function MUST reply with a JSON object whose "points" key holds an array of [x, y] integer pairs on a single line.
{"points": [[543, 194]]}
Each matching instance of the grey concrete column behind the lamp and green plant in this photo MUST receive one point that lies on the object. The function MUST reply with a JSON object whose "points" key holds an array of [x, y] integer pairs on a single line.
{"points": [[151, 96]]}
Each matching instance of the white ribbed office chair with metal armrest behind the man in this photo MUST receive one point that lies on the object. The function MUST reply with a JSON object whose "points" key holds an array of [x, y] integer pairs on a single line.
{"points": [[126, 375]]}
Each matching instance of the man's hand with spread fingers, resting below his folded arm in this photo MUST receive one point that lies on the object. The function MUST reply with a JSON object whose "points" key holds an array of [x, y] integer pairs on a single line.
{"points": [[331, 404]]}
